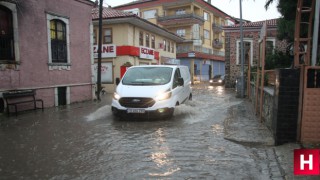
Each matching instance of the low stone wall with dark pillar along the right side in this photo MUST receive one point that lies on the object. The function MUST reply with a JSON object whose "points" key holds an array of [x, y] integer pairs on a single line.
{"points": [[280, 105]]}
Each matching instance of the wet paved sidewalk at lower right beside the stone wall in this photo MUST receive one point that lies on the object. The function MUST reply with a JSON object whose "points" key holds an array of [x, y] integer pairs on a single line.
{"points": [[243, 127]]}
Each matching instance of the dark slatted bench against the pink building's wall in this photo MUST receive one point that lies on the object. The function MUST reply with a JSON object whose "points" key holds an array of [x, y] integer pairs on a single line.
{"points": [[16, 97]]}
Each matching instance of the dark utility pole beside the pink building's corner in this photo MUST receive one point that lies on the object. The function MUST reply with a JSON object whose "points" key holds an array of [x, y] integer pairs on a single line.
{"points": [[99, 51]]}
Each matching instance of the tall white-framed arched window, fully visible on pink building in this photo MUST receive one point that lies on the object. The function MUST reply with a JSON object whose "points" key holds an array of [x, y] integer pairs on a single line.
{"points": [[58, 42]]}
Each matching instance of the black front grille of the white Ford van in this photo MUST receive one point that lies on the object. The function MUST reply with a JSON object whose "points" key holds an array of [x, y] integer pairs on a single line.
{"points": [[137, 102]]}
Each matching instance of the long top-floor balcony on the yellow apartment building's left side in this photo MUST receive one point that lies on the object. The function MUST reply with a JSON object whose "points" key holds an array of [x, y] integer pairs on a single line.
{"points": [[183, 19]]}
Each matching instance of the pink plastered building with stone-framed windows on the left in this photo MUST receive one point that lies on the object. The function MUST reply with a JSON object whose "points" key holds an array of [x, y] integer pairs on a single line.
{"points": [[45, 46]]}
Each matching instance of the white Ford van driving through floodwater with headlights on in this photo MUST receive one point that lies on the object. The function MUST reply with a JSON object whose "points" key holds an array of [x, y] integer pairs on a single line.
{"points": [[152, 90]]}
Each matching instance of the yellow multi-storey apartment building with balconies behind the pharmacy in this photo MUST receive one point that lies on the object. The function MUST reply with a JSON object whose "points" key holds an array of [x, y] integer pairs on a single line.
{"points": [[198, 22]]}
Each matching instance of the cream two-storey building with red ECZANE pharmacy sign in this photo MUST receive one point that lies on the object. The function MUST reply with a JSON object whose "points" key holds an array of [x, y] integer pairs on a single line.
{"points": [[129, 40]]}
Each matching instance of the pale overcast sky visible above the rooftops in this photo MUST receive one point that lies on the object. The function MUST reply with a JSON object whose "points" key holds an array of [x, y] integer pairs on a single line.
{"points": [[252, 10]]}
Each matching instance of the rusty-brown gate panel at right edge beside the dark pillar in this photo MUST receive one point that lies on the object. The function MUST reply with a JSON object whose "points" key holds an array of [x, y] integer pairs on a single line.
{"points": [[310, 124]]}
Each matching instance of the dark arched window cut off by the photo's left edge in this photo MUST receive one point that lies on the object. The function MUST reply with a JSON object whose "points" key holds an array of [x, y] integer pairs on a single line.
{"points": [[6, 35]]}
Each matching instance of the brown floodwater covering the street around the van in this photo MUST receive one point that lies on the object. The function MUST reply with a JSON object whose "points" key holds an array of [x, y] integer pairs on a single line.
{"points": [[84, 141]]}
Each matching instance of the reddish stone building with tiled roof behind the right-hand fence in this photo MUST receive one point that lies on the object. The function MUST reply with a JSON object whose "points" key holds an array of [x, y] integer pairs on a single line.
{"points": [[251, 42]]}
